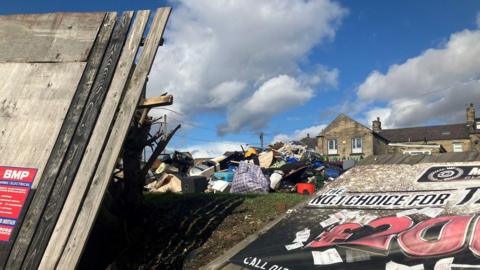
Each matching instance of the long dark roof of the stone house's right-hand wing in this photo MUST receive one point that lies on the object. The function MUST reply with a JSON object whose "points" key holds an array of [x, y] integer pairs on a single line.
{"points": [[429, 133]]}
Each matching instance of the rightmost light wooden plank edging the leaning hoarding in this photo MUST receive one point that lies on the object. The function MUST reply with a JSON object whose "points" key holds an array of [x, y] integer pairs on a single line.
{"points": [[94, 197]]}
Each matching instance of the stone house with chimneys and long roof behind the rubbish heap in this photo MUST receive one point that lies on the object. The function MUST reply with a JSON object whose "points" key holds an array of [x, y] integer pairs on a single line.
{"points": [[345, 138]]}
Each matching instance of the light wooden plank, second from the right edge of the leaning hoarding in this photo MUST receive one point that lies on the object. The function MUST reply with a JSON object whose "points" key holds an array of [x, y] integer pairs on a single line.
{"points": [[95, 145]]}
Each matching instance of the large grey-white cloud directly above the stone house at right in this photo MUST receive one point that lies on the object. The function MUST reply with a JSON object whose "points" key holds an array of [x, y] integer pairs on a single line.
{"points": [[434, 86]]}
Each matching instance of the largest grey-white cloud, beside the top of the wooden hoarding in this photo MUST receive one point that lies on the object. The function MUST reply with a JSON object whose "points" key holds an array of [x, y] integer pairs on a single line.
{"points": [[219, 54]]}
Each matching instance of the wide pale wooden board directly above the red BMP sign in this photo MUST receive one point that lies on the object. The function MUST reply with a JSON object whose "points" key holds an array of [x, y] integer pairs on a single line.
{"points": [[34, 99]]}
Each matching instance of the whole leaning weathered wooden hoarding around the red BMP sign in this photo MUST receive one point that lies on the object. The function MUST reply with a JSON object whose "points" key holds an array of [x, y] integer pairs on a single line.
{"points": [[67, 98]]}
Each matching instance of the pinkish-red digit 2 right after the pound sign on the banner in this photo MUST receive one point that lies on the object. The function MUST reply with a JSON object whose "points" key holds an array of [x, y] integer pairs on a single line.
{"points": [[381, 240]]}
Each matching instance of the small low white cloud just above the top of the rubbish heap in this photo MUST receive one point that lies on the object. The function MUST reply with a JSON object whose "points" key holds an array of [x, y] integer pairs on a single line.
{"points": [[213, 149]]}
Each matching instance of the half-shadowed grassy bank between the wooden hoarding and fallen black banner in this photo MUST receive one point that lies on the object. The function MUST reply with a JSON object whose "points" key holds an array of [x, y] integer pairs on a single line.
{"points": [[190, 230]]}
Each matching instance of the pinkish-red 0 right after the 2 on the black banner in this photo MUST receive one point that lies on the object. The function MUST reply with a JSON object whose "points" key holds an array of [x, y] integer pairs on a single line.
{"points": [[451, 237]]}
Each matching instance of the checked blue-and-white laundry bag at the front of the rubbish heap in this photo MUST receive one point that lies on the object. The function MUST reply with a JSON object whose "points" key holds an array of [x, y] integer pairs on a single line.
{"points": [[249, 178]]}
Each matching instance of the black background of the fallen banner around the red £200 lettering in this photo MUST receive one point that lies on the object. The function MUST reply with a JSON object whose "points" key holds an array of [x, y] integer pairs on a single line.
{"points": [[270, 253]]}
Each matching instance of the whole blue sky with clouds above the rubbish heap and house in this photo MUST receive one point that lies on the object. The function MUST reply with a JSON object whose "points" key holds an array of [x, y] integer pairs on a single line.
{"points": [[288, 67]]}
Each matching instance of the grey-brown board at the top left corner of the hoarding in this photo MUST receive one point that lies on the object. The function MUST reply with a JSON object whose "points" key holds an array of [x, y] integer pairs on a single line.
{"points": [[53, 37]]}
